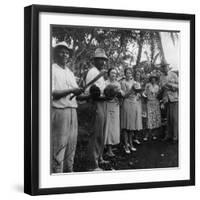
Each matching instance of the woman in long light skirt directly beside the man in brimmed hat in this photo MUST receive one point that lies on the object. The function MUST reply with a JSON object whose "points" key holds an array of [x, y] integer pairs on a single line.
{"points": [[112, 133]]}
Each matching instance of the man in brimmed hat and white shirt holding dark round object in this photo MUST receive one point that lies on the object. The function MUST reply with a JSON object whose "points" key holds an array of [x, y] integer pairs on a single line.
{"points": [[96, 145]]}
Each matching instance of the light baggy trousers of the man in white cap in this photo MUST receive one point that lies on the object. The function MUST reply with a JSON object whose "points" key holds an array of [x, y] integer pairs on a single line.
{"points": [[64, 130]]}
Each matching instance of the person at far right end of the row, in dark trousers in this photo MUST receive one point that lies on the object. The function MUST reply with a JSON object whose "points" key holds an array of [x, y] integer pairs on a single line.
{"points": [[169, 84]]}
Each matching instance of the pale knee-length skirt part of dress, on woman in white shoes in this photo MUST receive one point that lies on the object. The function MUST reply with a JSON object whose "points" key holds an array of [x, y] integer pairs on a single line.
{"points": [[131, 115]]}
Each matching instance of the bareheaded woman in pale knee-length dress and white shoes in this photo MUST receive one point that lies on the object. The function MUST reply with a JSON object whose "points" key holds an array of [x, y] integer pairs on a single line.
{"points": [[131, 112]]}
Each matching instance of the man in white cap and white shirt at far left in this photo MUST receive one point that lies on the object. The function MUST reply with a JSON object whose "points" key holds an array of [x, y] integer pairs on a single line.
{"points": [[64, 126]]}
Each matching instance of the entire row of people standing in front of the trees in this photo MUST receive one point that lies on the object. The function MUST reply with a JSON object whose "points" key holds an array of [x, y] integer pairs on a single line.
{"points": [[119, 109]]}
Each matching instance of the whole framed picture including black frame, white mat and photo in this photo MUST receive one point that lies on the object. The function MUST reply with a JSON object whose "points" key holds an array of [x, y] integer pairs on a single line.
{"points": [[109, 100]]}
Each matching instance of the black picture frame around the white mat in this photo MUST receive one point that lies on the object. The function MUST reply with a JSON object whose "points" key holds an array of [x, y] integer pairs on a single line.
{"points": [[31, 98]]}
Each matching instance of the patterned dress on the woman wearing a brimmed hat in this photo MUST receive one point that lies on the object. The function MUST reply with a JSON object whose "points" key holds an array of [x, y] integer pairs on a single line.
{"points": [[153, 106]]}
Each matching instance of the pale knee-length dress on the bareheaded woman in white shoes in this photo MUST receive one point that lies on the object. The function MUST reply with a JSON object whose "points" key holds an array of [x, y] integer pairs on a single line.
{"points": [[131, 111]]}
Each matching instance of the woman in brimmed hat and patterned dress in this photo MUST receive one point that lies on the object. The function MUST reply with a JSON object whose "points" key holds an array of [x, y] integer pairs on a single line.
{"points": [[153, 106]]}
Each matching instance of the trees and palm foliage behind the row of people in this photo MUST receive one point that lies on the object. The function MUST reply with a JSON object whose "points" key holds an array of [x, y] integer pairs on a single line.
{"points": [[139, 49]]}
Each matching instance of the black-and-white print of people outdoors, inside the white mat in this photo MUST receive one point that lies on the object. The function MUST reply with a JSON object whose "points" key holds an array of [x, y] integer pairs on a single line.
{"points": [[114, 99]]}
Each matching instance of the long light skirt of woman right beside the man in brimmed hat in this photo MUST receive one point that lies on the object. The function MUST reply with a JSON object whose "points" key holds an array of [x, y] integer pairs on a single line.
{"points": [[112, 130]]}
